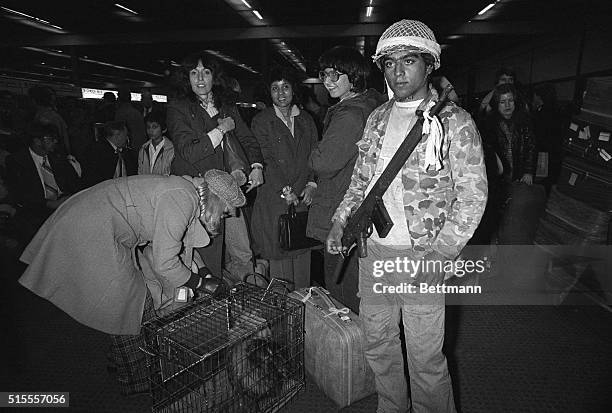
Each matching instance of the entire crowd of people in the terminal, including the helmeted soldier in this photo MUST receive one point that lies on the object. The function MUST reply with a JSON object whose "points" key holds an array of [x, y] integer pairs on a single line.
{"points": [[140, 183]]}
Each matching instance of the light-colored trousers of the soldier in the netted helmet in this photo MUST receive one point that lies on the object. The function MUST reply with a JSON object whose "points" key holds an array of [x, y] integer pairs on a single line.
{"points": [[423, 322]]}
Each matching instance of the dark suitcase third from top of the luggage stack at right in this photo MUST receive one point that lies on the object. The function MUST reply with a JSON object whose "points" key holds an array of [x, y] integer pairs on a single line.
{"points": [[586, 182]]}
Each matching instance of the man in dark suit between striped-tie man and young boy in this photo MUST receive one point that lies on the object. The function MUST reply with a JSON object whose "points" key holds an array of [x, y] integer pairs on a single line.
{"points": [[109, 157]]}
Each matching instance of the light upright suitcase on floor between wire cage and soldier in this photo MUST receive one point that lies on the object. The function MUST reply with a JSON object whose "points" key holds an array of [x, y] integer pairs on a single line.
{"points": [[334, 348]]}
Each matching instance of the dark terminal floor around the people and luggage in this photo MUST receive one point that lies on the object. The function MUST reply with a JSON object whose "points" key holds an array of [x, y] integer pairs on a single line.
{"points": [[502, 358]]}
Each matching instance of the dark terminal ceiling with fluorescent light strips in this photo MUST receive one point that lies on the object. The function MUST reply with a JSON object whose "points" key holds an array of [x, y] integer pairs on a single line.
{"points": [[108, 44]]}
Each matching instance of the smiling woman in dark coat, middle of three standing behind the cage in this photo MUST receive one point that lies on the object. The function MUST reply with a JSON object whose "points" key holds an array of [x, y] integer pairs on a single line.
{"points": [[286, 135]]}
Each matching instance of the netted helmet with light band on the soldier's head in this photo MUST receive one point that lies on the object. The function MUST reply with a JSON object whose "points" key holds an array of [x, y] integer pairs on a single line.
{"points": [[408, 34]]}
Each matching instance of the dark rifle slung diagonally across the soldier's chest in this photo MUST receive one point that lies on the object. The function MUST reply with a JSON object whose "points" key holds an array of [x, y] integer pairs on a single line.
{"points": [[372, 210]]}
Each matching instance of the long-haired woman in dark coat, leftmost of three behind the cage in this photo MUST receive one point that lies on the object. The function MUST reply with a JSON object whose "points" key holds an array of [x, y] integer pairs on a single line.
{"points": [[208, 133]]}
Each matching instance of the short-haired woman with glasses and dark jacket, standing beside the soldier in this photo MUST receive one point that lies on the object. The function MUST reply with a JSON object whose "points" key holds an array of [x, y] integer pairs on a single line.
{"points": [[343, 73]]}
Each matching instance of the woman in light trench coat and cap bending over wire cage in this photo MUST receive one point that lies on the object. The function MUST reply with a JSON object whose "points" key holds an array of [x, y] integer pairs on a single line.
{"points": [[82, 258]]}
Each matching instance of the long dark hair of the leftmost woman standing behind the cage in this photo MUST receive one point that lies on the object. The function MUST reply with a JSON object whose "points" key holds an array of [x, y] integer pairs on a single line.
{"points": [[181, 86]]}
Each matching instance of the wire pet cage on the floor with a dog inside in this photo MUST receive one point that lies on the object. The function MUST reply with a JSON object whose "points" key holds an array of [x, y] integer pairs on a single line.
{"points": [[244, 353]]}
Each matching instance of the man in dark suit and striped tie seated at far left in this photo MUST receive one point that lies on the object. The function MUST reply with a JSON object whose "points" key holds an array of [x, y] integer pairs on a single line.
{"points": [[38, 180]]}
